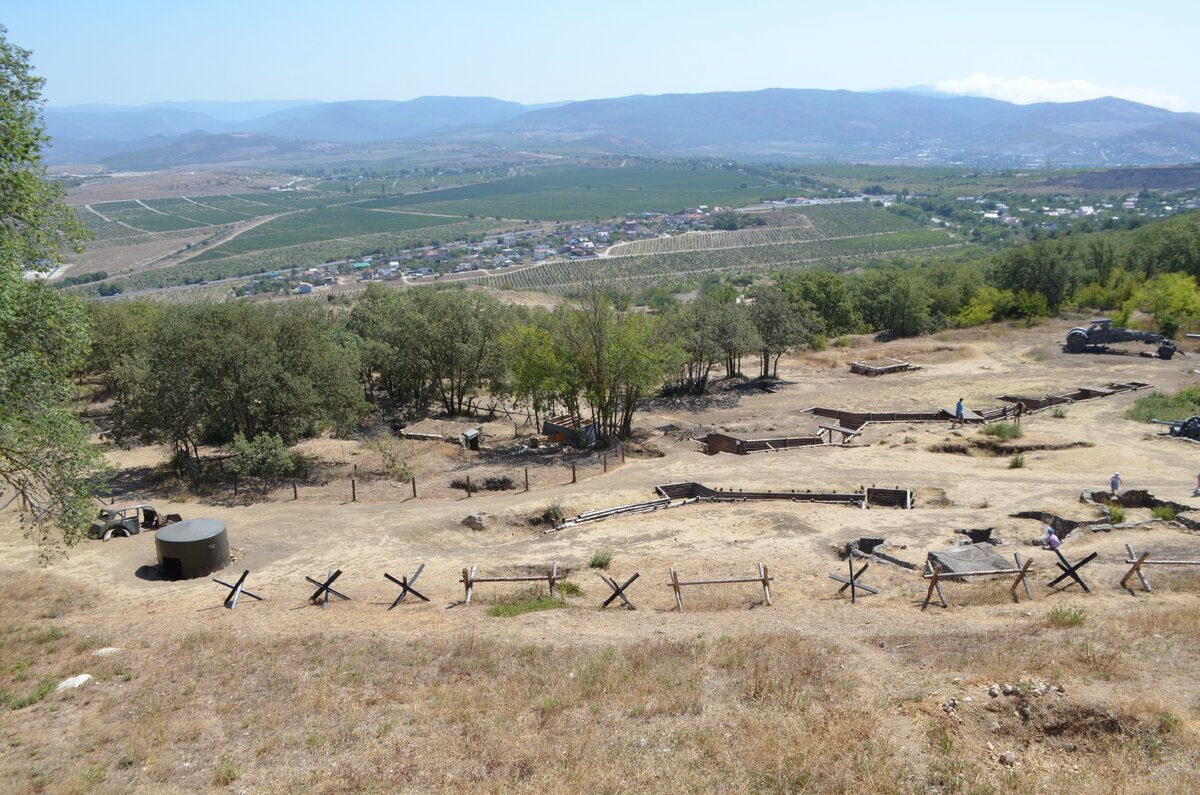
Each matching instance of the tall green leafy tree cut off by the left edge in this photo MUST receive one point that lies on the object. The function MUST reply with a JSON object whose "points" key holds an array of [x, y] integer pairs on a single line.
{"points": [[46, 453]]}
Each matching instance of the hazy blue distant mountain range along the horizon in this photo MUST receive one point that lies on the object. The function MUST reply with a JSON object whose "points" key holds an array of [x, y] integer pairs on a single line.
{"points": [[909, 127]]}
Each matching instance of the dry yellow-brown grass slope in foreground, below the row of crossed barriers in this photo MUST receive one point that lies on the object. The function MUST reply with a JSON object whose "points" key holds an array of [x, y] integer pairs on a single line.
{"points": [[357, 713]]}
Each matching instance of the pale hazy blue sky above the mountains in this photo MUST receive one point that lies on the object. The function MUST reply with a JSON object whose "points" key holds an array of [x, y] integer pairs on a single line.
{"points": [[131, 52]]}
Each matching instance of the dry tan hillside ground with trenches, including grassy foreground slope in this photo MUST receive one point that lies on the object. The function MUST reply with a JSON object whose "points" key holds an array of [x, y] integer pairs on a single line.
{"points": [[812, 695]]}
